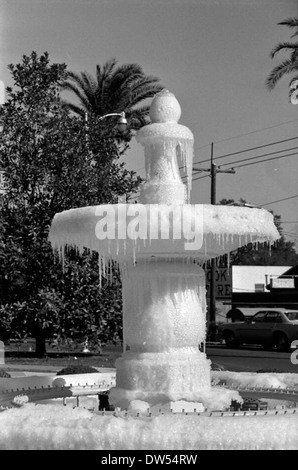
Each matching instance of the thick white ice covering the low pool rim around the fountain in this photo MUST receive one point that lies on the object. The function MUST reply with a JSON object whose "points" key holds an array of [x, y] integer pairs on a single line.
{"points": [[52, 426]]}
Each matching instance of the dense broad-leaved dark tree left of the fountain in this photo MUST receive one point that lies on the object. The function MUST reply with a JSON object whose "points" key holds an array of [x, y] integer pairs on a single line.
{"points": [[52, 163]]}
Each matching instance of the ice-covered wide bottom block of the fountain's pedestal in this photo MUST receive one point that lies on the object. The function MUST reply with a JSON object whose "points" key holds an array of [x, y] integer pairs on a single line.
{"points": [[161, 377]]}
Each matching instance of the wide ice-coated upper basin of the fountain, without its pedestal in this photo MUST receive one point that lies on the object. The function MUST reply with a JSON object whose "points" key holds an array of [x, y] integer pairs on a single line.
{"points": [[206, 231]]}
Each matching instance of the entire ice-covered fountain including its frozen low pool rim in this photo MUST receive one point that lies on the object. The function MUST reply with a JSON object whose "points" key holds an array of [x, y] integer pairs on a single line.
{"points": [[160, 245]]}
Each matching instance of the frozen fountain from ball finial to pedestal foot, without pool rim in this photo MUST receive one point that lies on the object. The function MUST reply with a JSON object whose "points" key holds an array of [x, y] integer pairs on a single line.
{"points": [[160, 244]]}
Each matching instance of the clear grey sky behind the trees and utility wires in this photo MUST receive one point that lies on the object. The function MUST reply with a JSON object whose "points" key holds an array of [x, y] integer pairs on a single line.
{"points": [[212, 54]]}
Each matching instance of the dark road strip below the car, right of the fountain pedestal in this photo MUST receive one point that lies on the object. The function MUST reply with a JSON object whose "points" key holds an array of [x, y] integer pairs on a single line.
{"points": [[250, 359]]}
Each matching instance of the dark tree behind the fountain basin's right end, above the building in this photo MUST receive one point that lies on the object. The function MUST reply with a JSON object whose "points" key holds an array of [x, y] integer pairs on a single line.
{"points": [[282, 253]]}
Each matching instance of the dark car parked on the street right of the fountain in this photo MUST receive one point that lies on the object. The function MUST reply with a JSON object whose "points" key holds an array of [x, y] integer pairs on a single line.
{"points": [[275, 327]]}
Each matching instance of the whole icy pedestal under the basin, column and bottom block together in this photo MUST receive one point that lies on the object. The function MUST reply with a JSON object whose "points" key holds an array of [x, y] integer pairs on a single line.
{"points": [[164, 315]]}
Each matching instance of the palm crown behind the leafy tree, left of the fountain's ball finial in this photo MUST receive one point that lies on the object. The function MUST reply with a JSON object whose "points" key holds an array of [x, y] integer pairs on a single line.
{"points": [[113, 90]]}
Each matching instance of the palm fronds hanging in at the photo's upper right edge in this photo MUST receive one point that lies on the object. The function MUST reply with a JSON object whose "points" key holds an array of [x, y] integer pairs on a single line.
{"points": [[289, 65]]}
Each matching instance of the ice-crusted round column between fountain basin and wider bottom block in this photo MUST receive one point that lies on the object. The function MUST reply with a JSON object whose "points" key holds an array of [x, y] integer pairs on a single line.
{"points": [[165, 305]]}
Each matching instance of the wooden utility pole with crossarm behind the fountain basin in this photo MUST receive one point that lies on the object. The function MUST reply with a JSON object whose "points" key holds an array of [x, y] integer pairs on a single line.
{"points": [[212, 306]]}
